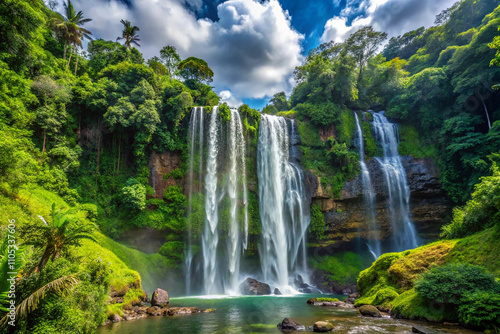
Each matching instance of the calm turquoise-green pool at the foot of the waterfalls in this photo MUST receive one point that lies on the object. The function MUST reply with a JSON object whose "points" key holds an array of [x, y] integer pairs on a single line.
{"points": [[261, 314]]}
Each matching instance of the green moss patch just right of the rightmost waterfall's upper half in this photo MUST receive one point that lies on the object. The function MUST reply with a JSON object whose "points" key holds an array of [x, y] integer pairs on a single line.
{"points": [[411, 144]]}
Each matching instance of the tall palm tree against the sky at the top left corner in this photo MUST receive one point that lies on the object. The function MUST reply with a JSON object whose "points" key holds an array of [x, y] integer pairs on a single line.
{"points": [[69, 26]]}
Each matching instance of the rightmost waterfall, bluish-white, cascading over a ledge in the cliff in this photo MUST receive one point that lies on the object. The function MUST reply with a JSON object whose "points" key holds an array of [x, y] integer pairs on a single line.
{"points": [[403, 232]]}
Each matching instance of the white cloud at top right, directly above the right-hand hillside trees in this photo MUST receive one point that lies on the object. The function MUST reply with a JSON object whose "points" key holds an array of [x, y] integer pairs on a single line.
{"points": [[395, 17]]}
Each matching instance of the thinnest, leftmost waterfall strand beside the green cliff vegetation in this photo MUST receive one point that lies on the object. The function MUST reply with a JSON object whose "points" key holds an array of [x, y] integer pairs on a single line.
{"points": [[195, 130]]}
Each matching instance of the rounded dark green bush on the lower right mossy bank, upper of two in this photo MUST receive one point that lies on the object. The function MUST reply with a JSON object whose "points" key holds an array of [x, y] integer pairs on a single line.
{"points": [[449, 284]]}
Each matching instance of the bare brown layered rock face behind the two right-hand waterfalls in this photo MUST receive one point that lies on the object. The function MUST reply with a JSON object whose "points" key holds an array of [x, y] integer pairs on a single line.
{"points": [[345, 216]]}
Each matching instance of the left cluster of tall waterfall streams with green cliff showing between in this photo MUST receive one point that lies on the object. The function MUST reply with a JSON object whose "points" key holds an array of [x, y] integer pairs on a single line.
{"points": [[218, 157]]}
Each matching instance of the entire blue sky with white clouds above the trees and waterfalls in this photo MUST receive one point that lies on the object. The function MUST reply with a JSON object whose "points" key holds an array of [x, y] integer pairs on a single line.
{"points": [[252, 46]]}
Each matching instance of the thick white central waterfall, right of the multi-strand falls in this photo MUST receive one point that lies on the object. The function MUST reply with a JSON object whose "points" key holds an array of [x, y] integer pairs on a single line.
{"points": [[284, 214]]}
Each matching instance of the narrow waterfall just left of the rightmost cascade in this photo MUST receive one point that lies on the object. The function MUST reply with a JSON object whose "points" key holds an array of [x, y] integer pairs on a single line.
{"points": [[369, 197]]}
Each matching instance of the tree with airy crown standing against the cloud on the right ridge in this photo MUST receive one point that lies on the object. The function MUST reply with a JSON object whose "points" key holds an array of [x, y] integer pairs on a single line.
{"points": [[363, 44]]}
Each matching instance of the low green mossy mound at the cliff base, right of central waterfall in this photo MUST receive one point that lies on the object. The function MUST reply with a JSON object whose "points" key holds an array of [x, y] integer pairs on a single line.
{"points": [[342, 267]]}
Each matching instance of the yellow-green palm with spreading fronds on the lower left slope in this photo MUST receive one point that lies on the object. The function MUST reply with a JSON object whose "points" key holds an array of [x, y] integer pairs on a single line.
{"points": [[62, 232]]}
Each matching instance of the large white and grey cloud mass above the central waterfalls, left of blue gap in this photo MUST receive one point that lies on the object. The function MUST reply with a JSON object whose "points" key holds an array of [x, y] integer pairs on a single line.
{"points": [[252, 48]]}
